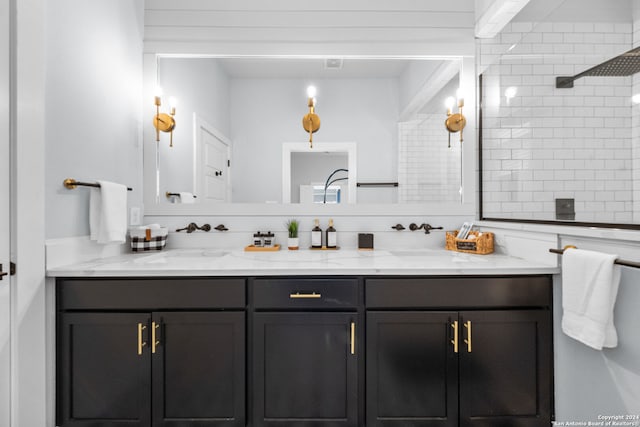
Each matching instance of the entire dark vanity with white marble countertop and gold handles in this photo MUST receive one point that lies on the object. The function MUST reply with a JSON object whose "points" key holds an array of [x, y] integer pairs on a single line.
{"points": [[138, 348]]}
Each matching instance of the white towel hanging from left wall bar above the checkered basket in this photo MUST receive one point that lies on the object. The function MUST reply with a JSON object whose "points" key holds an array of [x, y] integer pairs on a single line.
{"points": [[108, 213]]}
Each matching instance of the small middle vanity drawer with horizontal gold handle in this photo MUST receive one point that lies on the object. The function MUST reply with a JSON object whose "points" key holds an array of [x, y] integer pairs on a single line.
{"points": [[286, 293]]}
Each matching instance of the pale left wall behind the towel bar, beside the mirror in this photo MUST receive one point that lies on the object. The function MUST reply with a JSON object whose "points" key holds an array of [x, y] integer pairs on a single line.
{"points": [[93, 111]]}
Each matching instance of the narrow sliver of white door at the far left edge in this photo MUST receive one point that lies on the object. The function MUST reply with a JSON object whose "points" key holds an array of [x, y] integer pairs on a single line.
{"points": [[5, 297]]}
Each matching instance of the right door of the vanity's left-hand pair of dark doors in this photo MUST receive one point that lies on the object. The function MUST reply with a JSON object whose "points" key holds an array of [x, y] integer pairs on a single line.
{"points": [[199, 369]]}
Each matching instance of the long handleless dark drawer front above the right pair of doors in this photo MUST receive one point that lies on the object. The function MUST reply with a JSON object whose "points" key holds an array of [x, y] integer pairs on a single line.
{"points": [[459, 292]]}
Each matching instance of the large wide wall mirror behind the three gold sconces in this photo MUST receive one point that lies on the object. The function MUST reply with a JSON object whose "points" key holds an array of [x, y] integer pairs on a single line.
{"points": [[382, 139]]}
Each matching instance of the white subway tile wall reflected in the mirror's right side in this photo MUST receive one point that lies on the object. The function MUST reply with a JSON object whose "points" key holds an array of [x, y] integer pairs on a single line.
{"points": [[428, 171]]}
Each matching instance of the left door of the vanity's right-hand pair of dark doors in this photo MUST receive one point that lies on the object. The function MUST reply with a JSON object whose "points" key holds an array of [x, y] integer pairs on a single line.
{"points": [[412, 369]]}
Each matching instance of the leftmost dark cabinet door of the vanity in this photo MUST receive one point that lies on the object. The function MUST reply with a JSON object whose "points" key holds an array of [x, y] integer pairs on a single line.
{"points": [[104, 370]]}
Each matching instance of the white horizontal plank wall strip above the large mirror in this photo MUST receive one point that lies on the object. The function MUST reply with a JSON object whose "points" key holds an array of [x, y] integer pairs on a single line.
{"points": [[374, 27]]}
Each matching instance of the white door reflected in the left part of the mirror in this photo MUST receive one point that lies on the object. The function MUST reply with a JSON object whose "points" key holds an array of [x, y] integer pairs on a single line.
{"points": [[212, 163]]}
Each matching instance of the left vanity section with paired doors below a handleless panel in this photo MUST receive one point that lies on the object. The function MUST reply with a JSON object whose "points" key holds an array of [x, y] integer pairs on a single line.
{"points": [[128, 357]]}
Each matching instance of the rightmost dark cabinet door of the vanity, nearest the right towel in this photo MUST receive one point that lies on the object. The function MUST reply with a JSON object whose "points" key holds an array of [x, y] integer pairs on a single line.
{"points": [[505, 368]]}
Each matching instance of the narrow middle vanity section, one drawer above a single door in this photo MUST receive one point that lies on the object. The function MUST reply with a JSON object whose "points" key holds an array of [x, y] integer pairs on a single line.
{"points": [[306, 352]]}
